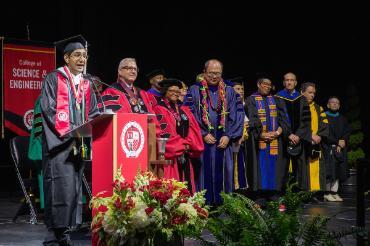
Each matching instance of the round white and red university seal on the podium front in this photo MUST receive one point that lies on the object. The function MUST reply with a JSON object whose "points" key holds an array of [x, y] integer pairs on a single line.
{"points": [[132, 139]]}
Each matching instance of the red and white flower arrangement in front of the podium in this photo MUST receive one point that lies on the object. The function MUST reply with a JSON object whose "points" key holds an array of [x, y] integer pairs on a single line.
{"points": [[147, 207]]}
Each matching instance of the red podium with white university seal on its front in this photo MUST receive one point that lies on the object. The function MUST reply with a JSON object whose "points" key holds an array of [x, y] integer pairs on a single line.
{"points": [[119, 140]]}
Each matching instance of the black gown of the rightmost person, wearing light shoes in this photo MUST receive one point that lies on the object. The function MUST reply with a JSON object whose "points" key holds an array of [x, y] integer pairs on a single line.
{"points": [[336, 163]]}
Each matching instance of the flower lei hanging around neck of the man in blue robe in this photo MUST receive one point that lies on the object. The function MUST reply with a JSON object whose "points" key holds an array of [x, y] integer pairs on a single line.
{"points": [[221, 104]]}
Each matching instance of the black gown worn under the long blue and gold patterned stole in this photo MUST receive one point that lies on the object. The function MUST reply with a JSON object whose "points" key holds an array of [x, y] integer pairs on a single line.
{"points": [[255, 130]]}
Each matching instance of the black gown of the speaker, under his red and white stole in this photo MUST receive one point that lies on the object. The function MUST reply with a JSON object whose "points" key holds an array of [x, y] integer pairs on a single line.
{"points": [[62, 169]]}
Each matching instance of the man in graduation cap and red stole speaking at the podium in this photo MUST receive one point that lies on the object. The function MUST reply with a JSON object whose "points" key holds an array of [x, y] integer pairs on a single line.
{"points": [[67, 101]]}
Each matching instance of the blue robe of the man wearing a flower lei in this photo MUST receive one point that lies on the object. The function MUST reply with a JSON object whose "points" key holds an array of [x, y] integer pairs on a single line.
{"points": [[216, 173]]}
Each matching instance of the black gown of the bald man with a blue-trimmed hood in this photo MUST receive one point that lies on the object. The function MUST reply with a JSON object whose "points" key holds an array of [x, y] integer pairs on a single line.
{"points": [[299, 123]]}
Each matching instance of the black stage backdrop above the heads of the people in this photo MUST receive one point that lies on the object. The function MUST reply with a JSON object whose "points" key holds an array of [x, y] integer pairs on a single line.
{"points": [[327, 46]]}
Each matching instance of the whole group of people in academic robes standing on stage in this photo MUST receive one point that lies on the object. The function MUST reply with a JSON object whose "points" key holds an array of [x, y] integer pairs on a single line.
{"points": [[218, 139]]}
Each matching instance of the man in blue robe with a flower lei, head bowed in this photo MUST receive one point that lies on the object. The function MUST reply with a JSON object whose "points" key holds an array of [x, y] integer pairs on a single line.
{"points": [[220, 116]]}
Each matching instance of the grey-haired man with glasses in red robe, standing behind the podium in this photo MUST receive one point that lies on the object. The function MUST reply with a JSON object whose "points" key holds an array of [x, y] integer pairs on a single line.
{"points": [[123, 96]]}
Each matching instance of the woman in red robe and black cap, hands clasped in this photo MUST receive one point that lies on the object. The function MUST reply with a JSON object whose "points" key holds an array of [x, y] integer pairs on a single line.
{"points": [[178, 124]]}
